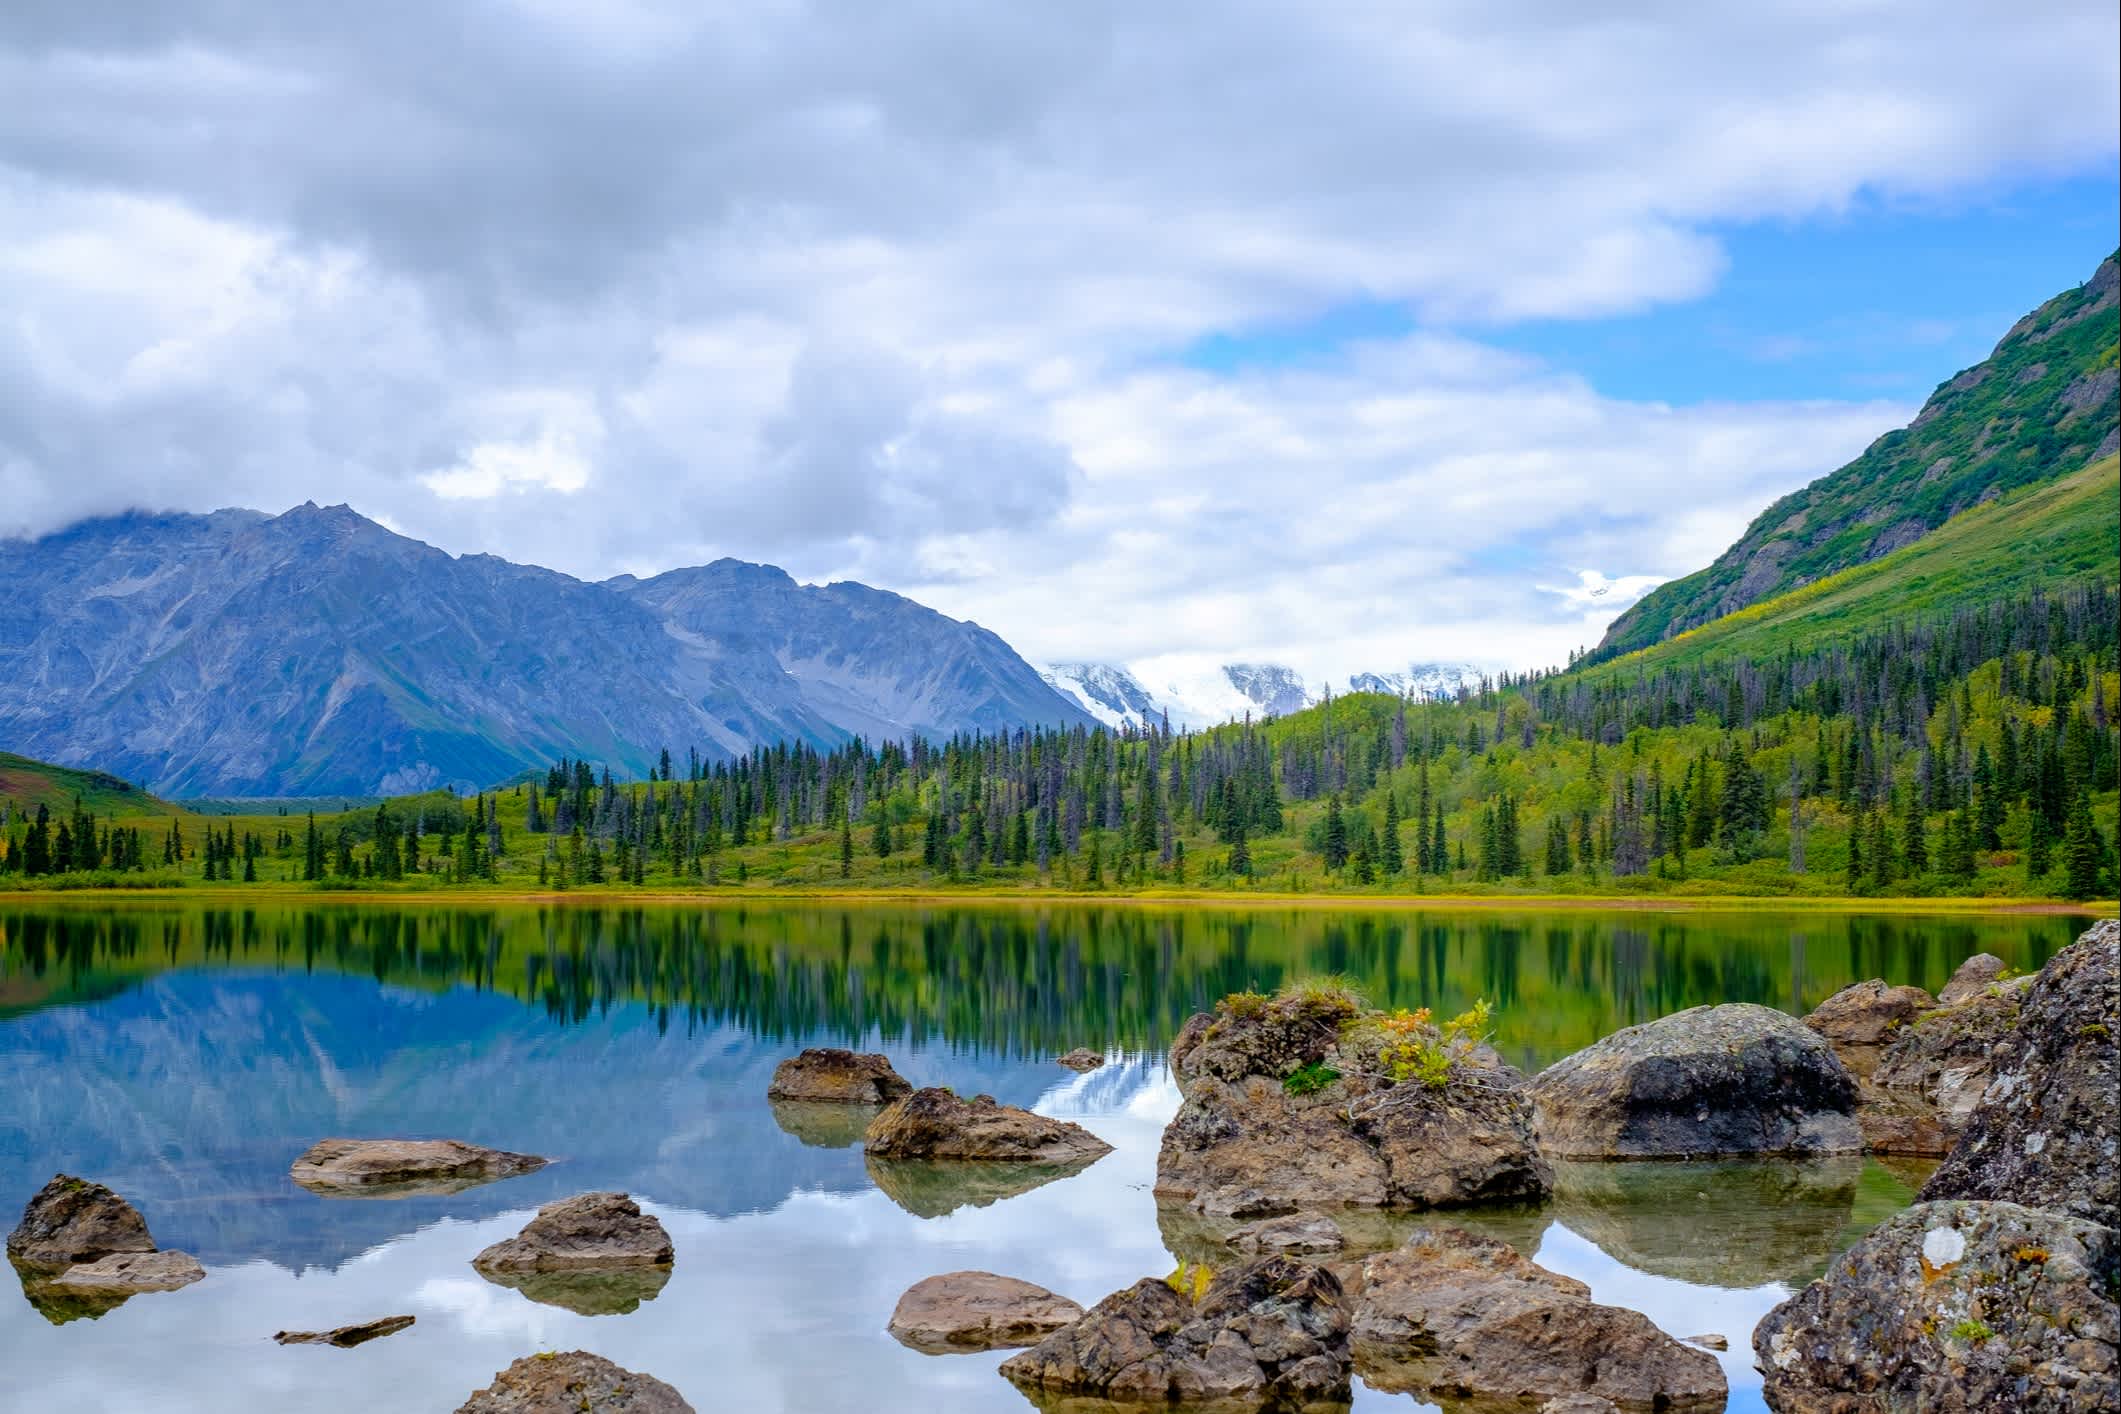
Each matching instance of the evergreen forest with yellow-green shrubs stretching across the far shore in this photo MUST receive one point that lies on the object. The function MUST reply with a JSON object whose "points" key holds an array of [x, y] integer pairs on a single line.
{"points": [[1971, 754]]}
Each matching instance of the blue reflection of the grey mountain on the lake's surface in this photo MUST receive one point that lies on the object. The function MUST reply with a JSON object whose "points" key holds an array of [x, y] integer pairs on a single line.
{"points": [[194, 1093]]}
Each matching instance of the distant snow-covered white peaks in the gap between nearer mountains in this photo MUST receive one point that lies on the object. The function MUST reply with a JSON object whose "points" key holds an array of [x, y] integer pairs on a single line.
{"points": [[1208, 699]]}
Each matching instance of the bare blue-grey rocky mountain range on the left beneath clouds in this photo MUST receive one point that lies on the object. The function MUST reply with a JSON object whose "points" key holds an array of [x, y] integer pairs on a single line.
{"points": [[317, 652]]}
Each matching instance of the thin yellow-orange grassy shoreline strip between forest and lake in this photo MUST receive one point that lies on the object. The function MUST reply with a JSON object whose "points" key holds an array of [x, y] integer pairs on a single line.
{"points": [[1019, 898]]}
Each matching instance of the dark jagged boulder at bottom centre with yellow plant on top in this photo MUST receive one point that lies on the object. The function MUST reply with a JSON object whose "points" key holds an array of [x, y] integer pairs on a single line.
{"points": [[1269, 1332]]}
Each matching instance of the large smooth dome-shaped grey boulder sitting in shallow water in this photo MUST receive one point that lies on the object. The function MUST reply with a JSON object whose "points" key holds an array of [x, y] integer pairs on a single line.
{"points": [[1698, 1084]]}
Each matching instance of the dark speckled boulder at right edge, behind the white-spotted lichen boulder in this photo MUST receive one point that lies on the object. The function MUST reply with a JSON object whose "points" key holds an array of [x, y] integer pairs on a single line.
{"points": [[2046, 1129]]}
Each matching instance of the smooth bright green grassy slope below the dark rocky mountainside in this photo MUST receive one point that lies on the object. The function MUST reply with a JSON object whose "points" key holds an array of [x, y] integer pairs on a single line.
{"points": [[2039, 537]]}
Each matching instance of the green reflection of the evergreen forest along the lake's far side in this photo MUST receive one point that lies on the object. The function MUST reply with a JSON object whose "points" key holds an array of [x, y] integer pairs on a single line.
{"points": [[1013, 980]]}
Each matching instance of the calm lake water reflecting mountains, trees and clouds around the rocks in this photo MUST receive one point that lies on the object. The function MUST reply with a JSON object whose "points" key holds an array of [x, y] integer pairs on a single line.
{"points": [[186, 1055]]}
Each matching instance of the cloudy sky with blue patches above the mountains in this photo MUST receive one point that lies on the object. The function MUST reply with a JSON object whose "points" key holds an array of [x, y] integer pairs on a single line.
{"points": [[1329, 336]]}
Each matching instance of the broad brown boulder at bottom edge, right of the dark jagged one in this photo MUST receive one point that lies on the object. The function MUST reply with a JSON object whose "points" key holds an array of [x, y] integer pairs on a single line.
{"points": [[1454, 1315]]}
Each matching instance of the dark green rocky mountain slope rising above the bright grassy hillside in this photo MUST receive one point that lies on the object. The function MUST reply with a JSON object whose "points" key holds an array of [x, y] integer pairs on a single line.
{"points": [[2044, 406]]}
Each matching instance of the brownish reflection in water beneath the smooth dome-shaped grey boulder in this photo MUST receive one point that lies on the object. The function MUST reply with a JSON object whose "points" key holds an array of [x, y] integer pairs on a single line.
{"points": [[1719, 1224]]}
